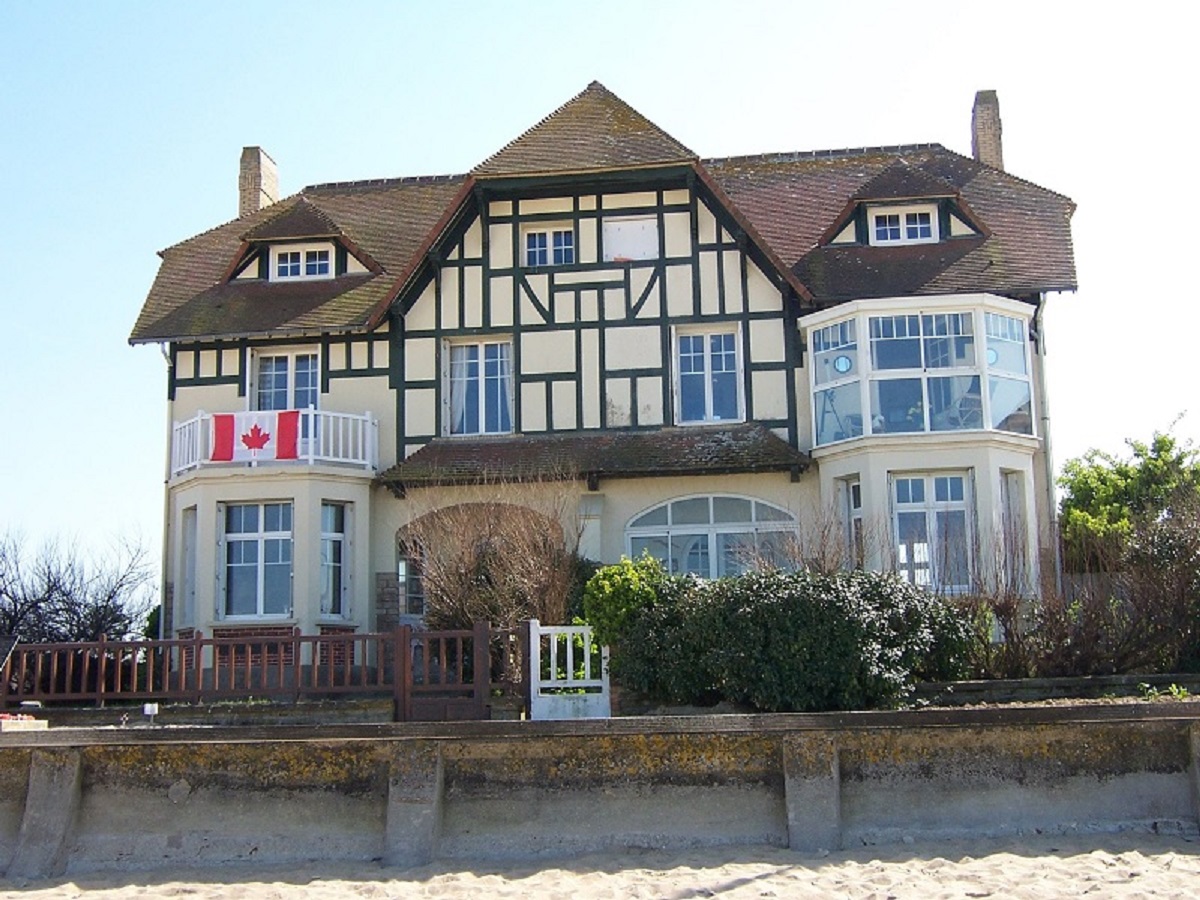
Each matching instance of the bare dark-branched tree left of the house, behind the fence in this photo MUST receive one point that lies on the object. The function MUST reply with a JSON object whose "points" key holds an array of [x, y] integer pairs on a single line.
{"points": [[58, 595]]}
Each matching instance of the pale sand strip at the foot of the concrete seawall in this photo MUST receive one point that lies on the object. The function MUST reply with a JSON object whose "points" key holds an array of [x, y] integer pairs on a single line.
{"points": [[1100, 866]]}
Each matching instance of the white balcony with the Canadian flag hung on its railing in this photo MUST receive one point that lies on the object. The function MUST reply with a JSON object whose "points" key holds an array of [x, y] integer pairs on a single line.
{"points": [[285, 437]]}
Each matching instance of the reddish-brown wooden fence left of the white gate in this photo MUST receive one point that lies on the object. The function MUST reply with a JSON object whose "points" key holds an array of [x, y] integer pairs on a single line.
{"points": [[430, 675]]}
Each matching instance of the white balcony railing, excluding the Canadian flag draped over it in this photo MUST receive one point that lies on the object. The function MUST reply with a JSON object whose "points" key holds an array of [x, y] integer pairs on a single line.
{"points": [[325, 437]]}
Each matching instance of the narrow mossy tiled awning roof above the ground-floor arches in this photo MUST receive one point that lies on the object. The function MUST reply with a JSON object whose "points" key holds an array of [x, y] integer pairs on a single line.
{"points": [[694, 451]]}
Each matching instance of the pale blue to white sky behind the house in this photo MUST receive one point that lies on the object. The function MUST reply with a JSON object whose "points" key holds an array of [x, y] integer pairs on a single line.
{"points": [[122, 127]]}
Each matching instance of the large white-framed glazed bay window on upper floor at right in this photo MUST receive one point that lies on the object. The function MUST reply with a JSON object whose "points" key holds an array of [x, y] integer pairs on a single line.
{"points": [[923, 373]]}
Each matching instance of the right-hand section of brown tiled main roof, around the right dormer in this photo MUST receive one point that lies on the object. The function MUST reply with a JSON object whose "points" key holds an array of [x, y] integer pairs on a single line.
{"points": [[794, 200]]}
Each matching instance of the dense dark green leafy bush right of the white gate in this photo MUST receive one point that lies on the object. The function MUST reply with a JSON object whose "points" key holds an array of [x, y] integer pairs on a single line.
{"points": [[781, 641]]}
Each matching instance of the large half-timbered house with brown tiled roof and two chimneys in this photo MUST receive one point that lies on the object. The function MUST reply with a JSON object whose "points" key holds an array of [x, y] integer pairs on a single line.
{"points": [[718, 358]]}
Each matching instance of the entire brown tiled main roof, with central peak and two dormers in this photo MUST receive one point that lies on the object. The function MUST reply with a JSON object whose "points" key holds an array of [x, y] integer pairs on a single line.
{"points": [[788, 203]]}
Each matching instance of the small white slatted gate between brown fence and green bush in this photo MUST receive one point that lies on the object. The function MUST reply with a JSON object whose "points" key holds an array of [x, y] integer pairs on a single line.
{"points": [[569, 674]]}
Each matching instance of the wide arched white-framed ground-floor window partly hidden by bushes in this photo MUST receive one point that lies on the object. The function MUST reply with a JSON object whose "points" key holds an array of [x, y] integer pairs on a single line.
{"points": [[769, 520]]}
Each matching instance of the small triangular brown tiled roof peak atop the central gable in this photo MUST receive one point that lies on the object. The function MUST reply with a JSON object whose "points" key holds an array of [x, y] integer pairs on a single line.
{"points": [[593, 131]]}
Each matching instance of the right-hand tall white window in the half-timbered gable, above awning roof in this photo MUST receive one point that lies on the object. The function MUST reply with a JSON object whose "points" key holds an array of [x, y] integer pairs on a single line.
{"points": [[709, 386]]}
